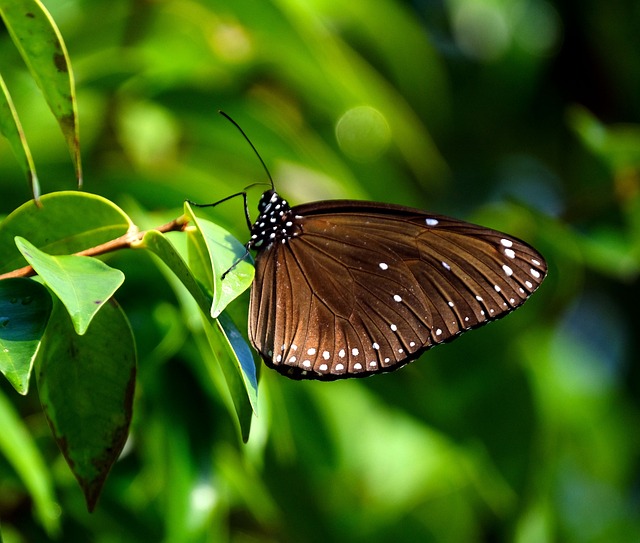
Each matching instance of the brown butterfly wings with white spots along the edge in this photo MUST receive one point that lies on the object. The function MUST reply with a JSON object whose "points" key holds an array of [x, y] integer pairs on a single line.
{"points": [[365, 288]]}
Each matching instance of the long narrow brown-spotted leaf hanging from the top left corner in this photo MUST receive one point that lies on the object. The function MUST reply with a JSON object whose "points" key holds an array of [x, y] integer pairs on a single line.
{"points": [[40, 43]]}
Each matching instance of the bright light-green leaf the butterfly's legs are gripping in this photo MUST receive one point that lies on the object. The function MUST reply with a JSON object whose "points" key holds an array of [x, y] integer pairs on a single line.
{"points": [[220, 253]]}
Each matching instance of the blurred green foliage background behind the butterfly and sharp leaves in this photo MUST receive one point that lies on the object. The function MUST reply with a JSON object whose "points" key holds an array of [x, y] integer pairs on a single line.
{"points": [[521, 115]]}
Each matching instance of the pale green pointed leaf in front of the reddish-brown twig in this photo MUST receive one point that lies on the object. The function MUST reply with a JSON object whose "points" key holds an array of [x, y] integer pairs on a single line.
{"points": [[82, 283]]}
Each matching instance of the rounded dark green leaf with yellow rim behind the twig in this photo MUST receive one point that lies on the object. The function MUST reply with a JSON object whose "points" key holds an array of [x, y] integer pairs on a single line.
{"points": [[66, 223]]}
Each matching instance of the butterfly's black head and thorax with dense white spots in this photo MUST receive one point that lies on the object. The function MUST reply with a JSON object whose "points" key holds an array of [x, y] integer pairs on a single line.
{"points": [[276, 223]]}
